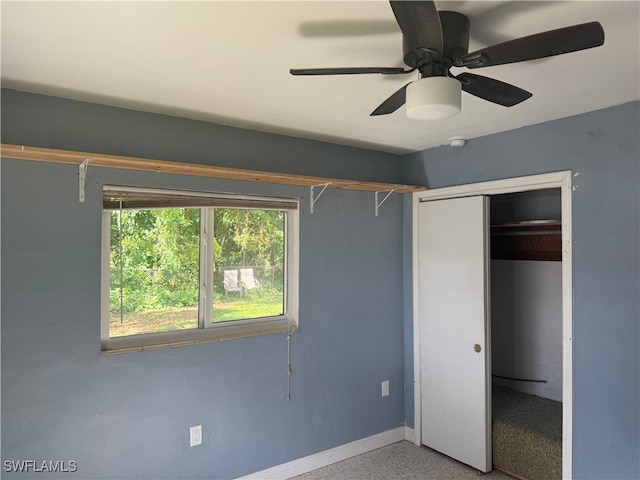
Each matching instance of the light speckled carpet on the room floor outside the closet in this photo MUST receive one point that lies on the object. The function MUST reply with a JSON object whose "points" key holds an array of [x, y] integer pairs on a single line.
{"points": [[400, 461]]}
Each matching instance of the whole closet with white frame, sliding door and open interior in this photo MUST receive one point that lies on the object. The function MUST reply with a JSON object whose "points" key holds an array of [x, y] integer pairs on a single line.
{"points": [[493, 318]]}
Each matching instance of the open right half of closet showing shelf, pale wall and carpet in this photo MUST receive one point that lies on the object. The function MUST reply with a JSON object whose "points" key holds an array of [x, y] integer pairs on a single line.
{"points": [[526, 333]]}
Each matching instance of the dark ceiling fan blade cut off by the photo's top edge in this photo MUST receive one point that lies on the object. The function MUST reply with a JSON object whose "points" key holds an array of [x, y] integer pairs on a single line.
{"points": [[420, 23]]}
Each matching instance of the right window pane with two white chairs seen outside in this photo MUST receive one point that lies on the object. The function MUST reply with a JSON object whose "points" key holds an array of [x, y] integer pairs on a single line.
{"points": [[249, 264]]}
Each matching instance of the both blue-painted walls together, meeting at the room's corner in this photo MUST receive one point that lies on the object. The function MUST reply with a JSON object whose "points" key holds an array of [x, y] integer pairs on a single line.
{"points": [[128, 415]]}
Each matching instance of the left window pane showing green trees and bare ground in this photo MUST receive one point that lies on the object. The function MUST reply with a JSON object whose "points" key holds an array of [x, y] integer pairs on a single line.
{"points": [[154, 259]]}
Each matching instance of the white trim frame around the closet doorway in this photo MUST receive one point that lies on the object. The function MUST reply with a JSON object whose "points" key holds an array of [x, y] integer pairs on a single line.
{"points": [[560, 180]]}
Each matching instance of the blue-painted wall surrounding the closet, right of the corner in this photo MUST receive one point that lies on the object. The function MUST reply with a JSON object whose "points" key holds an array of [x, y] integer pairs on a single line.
{"points": [[602, 147]]}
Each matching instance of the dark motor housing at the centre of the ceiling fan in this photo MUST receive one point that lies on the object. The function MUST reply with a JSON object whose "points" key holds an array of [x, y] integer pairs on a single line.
{"points": [[455, 33]]}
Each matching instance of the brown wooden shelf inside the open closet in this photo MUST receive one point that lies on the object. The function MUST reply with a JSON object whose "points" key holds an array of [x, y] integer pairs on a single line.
{"points": [[527, 240]]}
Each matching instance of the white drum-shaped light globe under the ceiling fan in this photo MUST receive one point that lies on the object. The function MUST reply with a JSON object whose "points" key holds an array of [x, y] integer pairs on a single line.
{"points": [[434, 98]]}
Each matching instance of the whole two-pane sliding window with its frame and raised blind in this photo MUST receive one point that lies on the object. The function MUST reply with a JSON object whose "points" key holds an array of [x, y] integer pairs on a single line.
{"points": [[184, 267]]}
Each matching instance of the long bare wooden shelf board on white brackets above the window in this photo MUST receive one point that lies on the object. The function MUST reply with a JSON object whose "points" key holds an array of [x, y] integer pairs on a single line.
{"points": [[20, 152]]}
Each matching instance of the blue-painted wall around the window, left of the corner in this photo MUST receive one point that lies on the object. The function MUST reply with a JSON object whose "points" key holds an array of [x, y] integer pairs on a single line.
{"points": [[128, 415]]}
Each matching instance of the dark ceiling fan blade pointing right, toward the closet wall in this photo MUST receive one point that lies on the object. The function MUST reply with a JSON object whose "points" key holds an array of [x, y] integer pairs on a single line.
{"points": [[540, 45]]}
